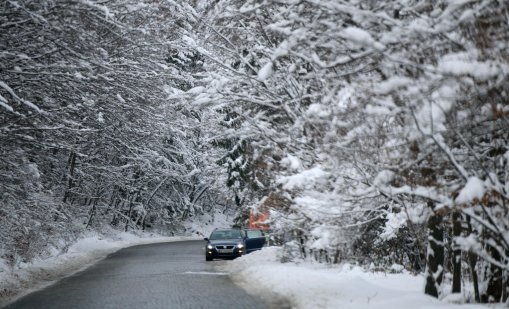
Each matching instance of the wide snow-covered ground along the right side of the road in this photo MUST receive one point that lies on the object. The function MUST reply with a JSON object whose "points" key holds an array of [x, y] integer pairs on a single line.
{"points": [[311, 285]]}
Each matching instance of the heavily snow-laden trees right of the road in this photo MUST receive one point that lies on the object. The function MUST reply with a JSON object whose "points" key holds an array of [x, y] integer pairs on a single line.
{"points": [[377, 111]]}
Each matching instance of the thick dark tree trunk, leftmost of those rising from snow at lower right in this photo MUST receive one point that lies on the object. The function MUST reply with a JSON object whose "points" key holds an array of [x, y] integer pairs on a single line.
{"points": [[435, 255]]}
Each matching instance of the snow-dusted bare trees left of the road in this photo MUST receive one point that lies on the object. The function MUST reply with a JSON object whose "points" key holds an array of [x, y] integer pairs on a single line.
{"points": [[94, 130]]}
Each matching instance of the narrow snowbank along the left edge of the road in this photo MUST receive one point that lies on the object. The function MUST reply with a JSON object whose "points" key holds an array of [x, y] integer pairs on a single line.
{"points": [[25, 278]]}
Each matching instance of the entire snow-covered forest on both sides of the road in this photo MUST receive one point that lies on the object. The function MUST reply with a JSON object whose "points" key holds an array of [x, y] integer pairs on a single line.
{"points": [[371, 131]]}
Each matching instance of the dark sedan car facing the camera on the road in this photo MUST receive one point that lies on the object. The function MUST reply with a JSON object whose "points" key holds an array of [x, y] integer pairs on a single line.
{"points": [[232, 243]]}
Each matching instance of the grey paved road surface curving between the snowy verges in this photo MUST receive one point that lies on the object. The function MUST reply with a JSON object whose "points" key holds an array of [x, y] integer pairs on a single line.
{"points": [[165, 275]]}
